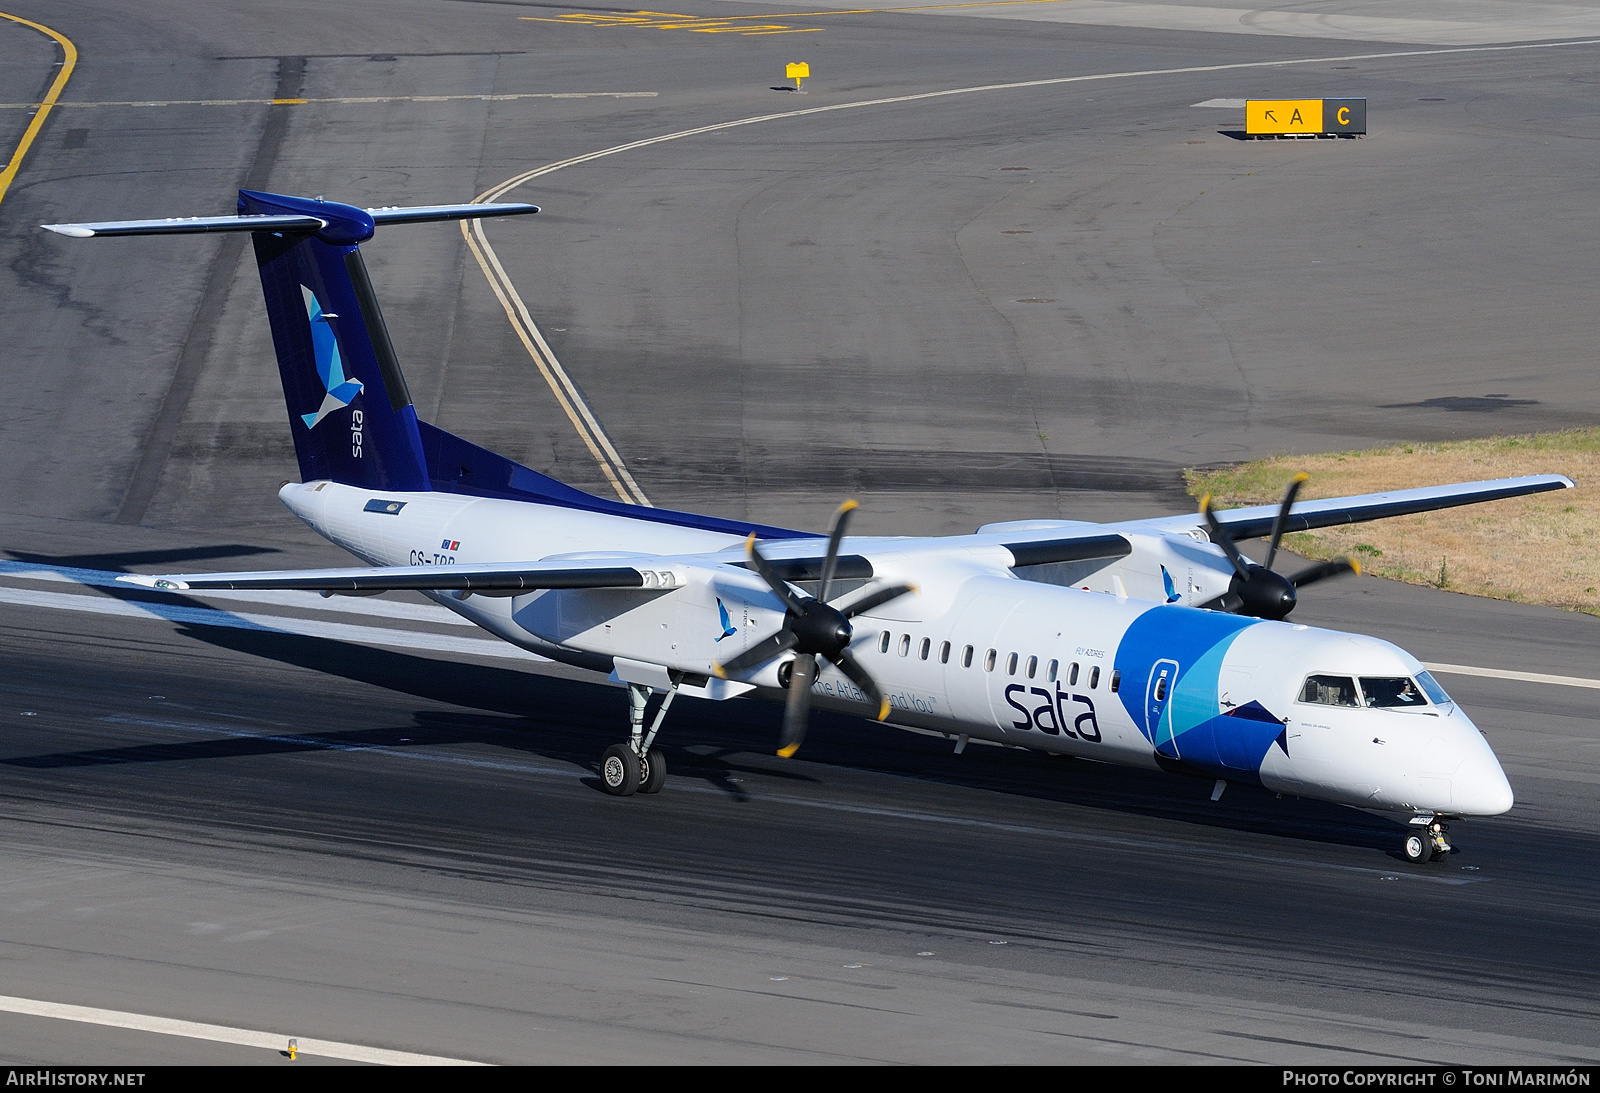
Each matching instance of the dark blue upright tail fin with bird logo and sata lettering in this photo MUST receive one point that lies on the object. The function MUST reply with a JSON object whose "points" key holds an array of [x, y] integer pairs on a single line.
{"points": [[350, 407]]}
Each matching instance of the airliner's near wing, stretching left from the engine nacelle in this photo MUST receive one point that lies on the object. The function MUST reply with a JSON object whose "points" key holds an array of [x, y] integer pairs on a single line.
{"points": [[489, 580]]}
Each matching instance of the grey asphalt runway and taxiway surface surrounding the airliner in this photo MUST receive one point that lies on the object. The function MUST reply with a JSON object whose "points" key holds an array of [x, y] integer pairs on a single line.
{"points": [[350, 822]]}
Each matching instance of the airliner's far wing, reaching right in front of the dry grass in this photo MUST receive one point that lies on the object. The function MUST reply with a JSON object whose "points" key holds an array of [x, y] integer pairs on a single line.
{"points": [[1249, 524]]}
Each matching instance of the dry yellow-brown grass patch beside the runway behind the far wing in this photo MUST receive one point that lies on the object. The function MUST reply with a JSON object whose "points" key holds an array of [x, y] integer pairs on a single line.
{"points": [[1540, 550]]}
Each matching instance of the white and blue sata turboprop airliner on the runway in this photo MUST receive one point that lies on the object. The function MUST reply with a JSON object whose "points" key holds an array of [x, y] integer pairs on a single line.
{"points": [[1150, 644]]}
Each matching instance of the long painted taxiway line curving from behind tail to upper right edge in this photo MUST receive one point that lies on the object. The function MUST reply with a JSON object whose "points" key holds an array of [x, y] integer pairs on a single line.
{"points": [[574, 404]]}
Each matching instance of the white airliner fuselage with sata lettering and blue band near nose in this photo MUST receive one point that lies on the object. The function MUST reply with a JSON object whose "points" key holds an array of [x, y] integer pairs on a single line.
{"points": [[1111, 675]]}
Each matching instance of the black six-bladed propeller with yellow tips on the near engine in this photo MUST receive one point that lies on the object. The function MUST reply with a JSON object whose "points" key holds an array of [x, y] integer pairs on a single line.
{"points": [[814, 628]]}
